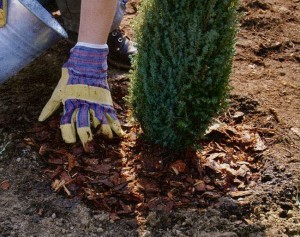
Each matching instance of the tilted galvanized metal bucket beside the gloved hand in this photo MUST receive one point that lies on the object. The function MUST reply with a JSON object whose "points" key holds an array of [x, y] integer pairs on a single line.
{"points": [[29, 31]]}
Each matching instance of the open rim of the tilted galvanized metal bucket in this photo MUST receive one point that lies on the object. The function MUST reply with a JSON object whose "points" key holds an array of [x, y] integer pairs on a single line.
{"points": [[40, 12]]}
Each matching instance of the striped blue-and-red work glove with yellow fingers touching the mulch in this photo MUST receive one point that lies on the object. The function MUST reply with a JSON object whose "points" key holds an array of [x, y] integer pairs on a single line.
{"points": [[86, 97]]}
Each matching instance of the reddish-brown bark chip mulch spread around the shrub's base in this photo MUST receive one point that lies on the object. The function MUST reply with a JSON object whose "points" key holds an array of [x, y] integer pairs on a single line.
{"points": [[130, 177]]}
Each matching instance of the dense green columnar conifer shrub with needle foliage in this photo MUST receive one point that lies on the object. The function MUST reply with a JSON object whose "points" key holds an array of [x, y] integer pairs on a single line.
{"points": [[181, 72]]}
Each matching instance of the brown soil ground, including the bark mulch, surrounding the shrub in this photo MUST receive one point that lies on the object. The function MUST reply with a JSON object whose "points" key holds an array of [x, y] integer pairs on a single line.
{"points": [[244, 182]]}
